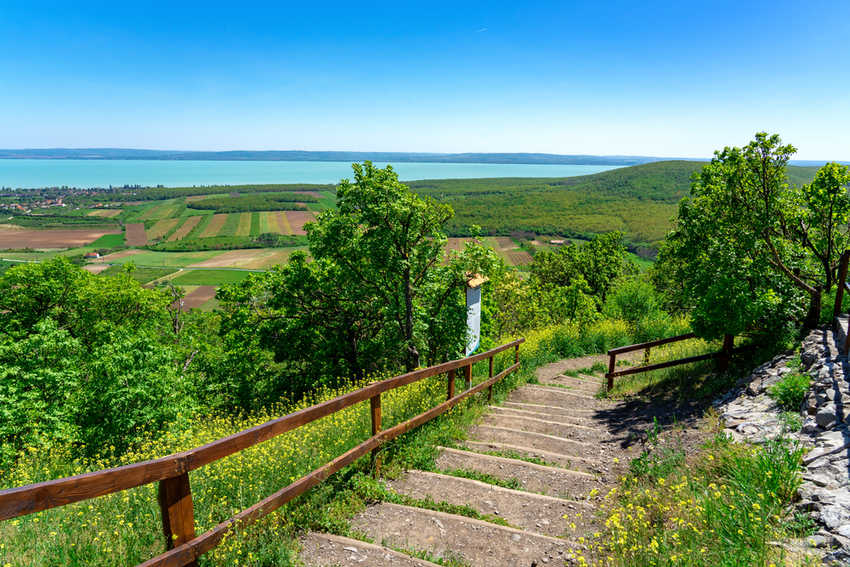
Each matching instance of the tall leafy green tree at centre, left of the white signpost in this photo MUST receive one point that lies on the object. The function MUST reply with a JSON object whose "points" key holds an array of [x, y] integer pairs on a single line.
{"points": [[378, 292]]}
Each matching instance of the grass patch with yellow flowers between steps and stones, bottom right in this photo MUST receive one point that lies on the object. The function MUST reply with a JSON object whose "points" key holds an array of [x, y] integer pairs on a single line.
{"points": [[722, 506]]}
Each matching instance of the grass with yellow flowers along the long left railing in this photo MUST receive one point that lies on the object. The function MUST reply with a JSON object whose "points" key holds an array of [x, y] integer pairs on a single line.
{"points": [[124, 528]]}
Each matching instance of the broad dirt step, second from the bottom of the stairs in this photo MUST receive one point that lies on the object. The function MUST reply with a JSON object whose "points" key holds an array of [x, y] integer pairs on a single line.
{"points": [[450, 537]]}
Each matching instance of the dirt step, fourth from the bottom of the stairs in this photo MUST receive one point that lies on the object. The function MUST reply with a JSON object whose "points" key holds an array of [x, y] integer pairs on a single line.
{"points": [[552, 481]]}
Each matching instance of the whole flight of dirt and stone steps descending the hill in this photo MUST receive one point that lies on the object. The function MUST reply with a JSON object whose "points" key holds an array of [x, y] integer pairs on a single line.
{"points": [[555, 440]]}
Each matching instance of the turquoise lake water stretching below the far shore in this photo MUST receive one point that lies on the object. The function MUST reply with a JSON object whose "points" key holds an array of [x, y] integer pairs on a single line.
{"points": [[102, 173]]}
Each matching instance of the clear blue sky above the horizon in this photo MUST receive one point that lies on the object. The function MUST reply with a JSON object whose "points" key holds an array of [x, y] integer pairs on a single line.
{"points": [[642, 78]]}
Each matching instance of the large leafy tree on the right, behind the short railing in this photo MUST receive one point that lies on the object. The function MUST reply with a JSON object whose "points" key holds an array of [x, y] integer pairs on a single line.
{"points": [[728, 257]]}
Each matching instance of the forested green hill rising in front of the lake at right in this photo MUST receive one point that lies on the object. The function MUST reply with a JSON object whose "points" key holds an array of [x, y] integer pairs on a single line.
{"points": [[640, 201]]}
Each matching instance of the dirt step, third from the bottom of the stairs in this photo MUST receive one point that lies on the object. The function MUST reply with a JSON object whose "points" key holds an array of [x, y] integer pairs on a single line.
{"points": [[525, 510]]}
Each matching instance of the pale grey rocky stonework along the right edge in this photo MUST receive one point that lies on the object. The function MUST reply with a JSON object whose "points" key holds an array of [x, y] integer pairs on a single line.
{"points": [[750, 414]]}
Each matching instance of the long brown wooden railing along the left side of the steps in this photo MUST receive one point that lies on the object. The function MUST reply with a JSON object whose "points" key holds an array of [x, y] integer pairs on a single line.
{"points": [[172, 472]]}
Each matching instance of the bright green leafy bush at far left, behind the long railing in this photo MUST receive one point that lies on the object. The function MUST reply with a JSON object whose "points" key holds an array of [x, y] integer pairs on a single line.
{"points": [[84, 359]]}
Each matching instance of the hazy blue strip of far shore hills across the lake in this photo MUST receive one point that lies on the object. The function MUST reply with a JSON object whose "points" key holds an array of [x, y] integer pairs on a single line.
{"points": [[295, 155]]}
